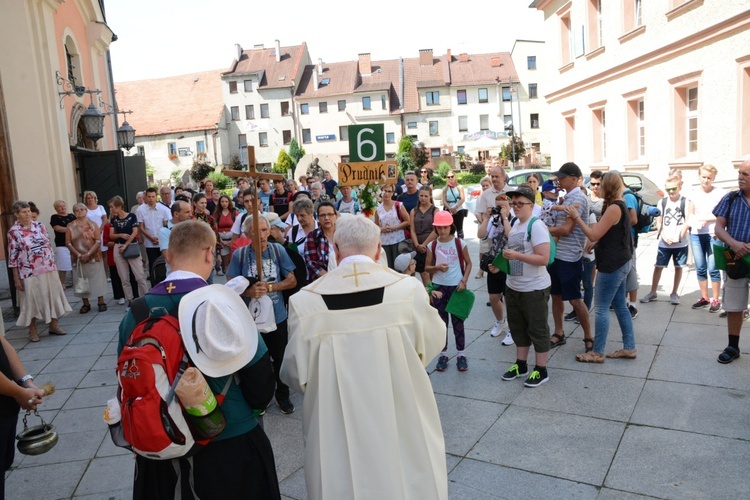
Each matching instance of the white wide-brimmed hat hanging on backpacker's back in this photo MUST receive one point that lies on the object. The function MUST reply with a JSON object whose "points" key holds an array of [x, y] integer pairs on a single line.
{"points": [[217, 329]]}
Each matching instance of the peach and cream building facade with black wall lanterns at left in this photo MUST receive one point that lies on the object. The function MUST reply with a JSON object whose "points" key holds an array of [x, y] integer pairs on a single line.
{"points": [[51, 47]]}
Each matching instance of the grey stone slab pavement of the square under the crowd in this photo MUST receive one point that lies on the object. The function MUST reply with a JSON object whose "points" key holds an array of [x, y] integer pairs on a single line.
{"points": [[673, 423]]}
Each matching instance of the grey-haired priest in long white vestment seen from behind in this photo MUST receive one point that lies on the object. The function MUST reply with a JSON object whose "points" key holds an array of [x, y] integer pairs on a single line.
{"points": [[360, 338]]}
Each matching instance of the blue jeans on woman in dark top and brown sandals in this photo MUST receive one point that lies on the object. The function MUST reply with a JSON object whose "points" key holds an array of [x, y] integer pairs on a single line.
{"points": [[610, 289]]}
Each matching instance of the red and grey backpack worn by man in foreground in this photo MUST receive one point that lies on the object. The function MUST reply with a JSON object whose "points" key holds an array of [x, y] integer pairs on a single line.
{"points": [[154, 422]]}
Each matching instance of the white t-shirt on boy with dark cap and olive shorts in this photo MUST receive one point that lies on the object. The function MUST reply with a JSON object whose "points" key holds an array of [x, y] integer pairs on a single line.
{"points": [[525, 277]]}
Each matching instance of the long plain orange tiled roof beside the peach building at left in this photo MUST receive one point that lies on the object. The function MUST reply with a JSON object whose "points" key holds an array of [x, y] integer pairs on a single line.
{"points": [[176, 104]]}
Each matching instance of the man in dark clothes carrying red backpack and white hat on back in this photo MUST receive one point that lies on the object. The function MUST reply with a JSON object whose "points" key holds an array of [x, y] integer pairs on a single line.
{"points": [[238, 462]]}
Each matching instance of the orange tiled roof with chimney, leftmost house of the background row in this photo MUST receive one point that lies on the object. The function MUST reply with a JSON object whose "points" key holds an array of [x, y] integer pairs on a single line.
{"points": [[275, 74]]}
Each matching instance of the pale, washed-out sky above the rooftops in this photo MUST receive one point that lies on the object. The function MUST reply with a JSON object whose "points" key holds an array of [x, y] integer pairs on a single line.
{"points": [[159, 38]]}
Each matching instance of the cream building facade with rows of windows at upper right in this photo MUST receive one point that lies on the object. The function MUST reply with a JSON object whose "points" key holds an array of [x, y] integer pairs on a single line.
{"points": [[648, 86]]}
